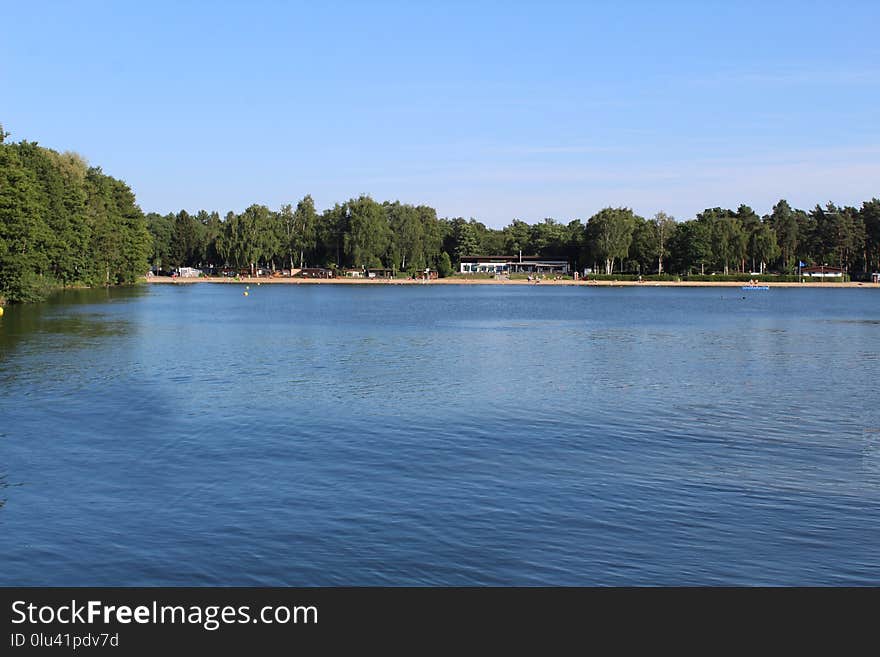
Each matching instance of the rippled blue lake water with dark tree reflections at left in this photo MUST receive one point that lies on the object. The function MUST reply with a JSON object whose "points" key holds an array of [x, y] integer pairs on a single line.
{"points": [[440, 435]]}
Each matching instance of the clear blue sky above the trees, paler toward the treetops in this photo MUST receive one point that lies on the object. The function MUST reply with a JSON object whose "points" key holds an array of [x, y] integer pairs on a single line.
{"points": [[493, 110]]}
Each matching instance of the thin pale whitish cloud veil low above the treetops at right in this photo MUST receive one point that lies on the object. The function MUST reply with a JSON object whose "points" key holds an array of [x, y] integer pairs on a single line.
{"points": [[683, 188]]}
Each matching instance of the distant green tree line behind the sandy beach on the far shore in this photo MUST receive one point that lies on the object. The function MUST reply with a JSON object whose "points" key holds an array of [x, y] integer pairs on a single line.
{"points": [[365, 233]]}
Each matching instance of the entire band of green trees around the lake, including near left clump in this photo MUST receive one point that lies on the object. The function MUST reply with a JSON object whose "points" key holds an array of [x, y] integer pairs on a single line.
{"points": [[63, 223]]}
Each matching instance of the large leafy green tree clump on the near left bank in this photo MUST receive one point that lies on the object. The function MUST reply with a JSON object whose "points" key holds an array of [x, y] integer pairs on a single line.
{"points": [[63, 223]]}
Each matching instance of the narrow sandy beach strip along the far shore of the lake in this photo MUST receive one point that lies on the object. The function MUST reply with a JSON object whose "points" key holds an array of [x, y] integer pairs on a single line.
{"points": [[164, 280]]}
